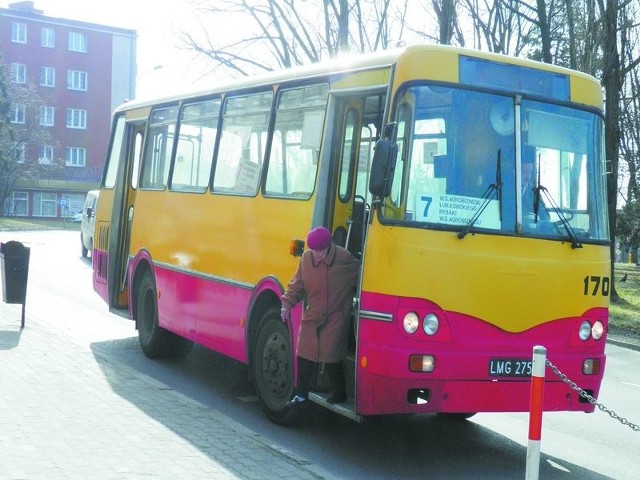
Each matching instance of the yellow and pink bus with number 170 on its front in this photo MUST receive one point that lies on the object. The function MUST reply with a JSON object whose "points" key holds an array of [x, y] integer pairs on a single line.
{"points": [[471, 186]]}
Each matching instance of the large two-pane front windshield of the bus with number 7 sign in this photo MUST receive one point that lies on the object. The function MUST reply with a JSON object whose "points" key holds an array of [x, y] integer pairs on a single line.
{"points": [[498, 164]]}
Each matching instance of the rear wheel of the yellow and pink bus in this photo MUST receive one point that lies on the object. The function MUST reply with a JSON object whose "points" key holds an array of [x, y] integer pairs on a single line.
{"points": [[156, 342]]}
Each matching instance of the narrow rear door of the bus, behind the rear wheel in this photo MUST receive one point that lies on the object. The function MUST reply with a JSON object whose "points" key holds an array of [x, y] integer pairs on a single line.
{"points": [[122, 215]]}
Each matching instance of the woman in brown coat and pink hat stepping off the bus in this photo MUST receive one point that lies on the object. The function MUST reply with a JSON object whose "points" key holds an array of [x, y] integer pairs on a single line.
{"points": [[325, 279]]}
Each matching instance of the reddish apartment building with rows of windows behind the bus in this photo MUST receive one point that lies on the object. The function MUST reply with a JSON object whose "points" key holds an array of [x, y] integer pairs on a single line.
{"points": [[81, 72]]}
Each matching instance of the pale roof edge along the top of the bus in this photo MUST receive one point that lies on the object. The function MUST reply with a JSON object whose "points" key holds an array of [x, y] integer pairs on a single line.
{"points": [[347, 63]]}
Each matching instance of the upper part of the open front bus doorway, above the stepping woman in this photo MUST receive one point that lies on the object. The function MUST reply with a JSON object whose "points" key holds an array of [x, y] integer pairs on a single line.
{"points": [[358, 121]]}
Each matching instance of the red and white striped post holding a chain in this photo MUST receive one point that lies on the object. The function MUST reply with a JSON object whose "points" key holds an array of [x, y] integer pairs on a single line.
{"points": [[535, 412]]}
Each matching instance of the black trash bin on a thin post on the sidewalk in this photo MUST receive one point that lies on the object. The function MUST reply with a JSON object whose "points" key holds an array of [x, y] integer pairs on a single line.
{"points": [[14, 266]]}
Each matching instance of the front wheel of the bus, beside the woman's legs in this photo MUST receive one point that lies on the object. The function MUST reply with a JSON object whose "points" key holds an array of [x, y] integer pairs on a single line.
{"points": [[273, 368]]}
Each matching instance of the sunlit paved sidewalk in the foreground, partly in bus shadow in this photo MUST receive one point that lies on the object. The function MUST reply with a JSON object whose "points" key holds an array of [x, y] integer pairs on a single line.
{"points": [[67, 412]]}
